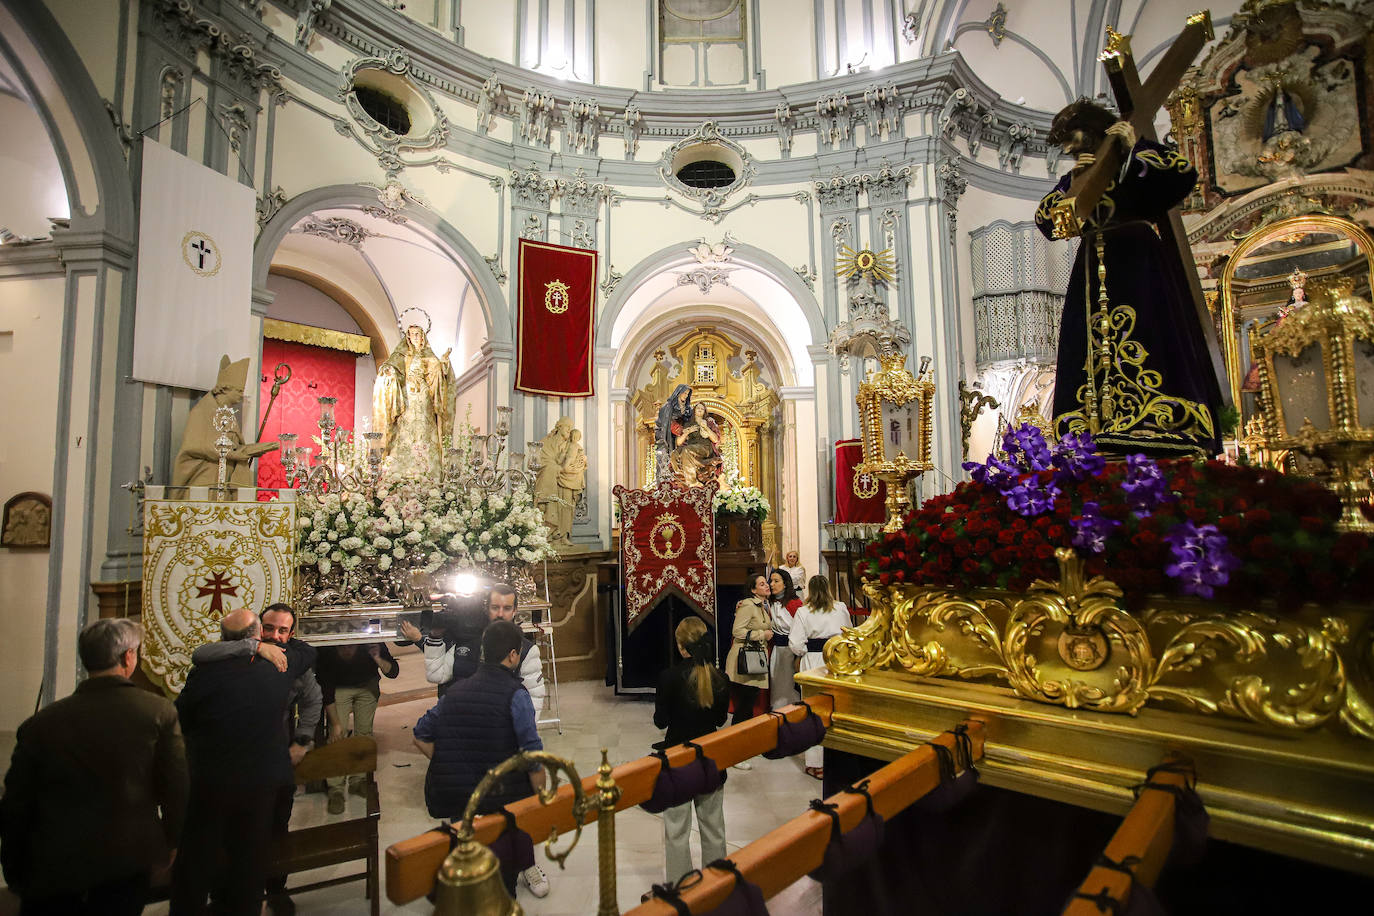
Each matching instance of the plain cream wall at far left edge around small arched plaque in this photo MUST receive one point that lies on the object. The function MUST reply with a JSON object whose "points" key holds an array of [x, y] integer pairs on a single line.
{"points": [[31, 340]]}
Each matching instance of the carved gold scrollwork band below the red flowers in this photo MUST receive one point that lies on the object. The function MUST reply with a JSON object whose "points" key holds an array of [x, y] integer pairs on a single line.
{"points": [[1071, 643]]}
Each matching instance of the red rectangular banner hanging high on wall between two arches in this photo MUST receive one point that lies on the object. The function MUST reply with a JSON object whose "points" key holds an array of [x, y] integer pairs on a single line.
{"points": [[557, 311]]}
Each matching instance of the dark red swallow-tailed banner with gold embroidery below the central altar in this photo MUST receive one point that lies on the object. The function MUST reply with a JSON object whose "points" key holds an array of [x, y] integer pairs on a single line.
{"points": [[667, 545]]}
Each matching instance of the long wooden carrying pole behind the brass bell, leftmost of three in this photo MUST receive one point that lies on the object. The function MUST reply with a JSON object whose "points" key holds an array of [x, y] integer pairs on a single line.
{"points": [[412, 865]]}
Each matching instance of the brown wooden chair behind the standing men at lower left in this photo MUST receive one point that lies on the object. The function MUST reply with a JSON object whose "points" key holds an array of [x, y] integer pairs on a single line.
{"points": [[336, 843]]}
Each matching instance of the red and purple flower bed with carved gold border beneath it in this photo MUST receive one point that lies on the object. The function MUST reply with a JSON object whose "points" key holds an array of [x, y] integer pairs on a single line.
{"points": [[1050, 572]]}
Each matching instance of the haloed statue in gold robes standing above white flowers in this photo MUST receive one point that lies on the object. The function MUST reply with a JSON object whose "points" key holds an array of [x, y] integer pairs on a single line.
{"points": [[413, 406]]}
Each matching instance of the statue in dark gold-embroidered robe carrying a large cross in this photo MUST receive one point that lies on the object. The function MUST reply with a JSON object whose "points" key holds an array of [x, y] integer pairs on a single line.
{"points": [[1136, 360]]}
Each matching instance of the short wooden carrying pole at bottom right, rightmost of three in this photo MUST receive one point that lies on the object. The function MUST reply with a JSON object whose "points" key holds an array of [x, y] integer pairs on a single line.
{"points": [[1147, 833]]}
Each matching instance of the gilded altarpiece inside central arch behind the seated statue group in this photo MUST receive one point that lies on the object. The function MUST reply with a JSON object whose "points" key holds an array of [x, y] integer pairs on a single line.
{"points": [[723, 376]]}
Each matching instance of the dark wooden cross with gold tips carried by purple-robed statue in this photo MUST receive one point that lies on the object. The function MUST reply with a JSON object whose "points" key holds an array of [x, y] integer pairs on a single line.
{"points": [[1138, 105]]}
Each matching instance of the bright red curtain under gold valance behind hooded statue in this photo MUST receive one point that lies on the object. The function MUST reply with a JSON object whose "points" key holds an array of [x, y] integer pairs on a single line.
{"points": [[315, 373]]}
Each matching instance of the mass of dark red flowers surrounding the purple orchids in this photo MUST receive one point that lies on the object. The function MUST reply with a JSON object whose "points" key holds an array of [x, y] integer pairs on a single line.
{"points": [[1280, 529]]}
